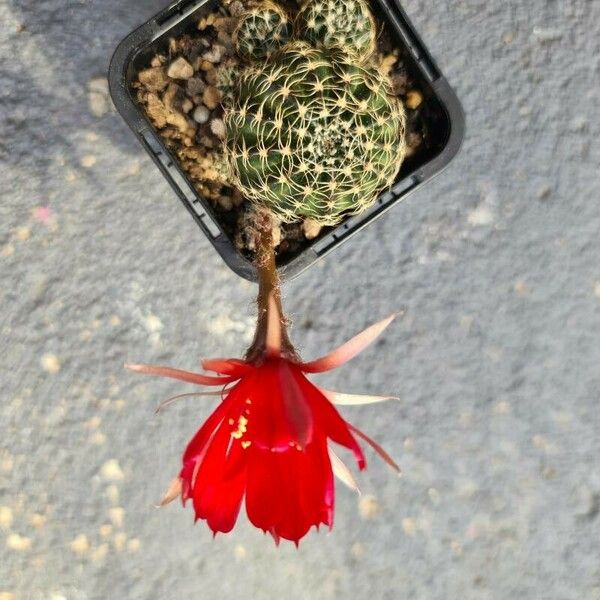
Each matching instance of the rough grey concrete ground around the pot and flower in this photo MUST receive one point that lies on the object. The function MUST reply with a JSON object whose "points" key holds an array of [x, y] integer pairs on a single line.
{"points": [[496, 359]]}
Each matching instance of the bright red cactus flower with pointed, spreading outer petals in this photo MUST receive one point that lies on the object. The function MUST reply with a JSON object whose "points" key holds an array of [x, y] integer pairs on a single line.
{"points": [[269, 438]]}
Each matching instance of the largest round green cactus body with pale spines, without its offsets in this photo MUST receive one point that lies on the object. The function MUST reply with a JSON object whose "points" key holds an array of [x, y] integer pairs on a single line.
{"points": [[311, 133]]}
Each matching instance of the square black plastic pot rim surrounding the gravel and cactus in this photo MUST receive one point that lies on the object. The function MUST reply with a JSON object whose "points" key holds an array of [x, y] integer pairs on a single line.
{"points": [[444, 115]]}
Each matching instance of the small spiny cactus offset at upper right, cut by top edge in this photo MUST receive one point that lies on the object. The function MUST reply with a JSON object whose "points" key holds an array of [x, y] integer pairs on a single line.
{"points": [[347, 24]]}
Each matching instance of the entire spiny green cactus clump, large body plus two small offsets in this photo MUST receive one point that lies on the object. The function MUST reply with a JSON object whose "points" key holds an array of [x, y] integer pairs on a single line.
{"points": [[313, 130]]}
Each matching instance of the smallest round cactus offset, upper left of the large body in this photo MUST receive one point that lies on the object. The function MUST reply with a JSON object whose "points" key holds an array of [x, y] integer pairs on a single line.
{"points": [[261, 31]]}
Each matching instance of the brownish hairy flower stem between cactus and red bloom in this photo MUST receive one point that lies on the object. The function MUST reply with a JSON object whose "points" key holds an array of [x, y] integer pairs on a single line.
{"points": [[271, 337]]}
